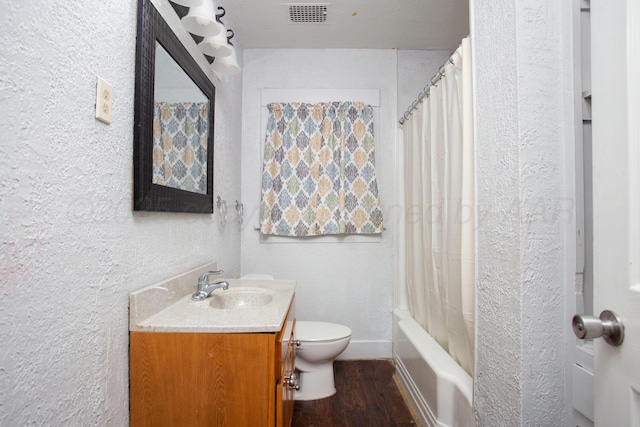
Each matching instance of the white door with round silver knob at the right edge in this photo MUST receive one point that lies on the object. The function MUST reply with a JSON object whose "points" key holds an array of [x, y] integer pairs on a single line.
{"points": [[615, 66]]}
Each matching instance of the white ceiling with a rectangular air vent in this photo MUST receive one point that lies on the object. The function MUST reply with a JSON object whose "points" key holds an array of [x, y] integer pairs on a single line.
{"points": [[356, 24]]}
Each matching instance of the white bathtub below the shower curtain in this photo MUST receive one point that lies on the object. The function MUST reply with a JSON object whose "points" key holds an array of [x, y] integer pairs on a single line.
{"points": [[439, 390]]}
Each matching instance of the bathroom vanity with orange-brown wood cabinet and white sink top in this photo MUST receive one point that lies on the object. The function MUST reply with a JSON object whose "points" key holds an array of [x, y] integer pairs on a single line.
{"points": [[225, 361]]}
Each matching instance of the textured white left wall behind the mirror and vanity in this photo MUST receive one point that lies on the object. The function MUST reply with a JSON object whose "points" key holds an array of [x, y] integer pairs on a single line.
{"points": [[71, 249]]}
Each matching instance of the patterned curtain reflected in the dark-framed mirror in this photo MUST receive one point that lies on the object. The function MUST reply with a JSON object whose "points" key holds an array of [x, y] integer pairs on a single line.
{"points": [[180, 134]]}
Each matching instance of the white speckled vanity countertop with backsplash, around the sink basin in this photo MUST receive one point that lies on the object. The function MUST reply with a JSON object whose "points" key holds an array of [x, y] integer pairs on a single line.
{"points": [[168, 307]]}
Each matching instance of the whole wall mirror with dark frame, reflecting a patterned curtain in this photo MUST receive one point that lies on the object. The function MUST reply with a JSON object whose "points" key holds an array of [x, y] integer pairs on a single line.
{"points": [[173, 122]]}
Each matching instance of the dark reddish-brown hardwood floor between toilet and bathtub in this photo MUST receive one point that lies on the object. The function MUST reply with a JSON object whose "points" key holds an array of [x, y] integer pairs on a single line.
{"points": [[367, 396]]}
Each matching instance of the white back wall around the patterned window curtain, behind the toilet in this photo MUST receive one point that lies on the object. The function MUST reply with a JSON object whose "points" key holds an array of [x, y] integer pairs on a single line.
{"points": [[348, 283]]}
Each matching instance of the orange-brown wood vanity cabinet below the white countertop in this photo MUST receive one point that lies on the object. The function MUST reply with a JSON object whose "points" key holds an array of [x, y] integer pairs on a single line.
{"points": [[212, 379]]}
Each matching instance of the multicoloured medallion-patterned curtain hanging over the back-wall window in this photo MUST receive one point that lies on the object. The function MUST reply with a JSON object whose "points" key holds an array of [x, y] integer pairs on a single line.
{"points": [[319, 170]]}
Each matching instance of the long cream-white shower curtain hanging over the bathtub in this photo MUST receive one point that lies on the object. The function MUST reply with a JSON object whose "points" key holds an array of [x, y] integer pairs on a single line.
{"points": [[439, 198]]}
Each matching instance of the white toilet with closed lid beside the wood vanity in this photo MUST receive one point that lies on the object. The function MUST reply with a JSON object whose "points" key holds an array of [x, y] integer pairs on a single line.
{"points": [[320, 344]]}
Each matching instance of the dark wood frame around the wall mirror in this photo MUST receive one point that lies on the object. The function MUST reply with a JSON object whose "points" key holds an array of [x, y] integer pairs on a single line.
{"points": [[146, 195]]}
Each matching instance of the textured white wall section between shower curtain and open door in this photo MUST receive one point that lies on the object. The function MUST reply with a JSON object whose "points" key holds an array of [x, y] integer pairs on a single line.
{"points": [[526, 250]]}
